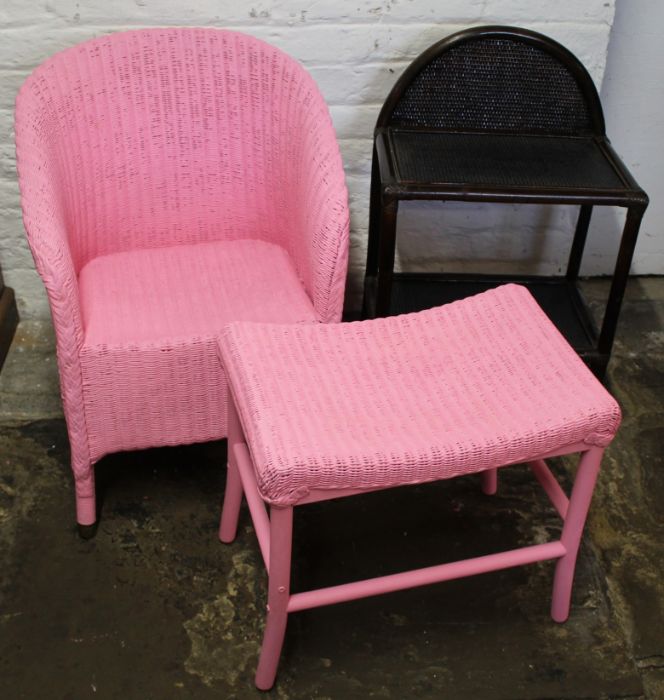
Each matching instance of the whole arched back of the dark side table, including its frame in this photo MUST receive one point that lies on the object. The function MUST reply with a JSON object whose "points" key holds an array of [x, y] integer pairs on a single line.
{"points": [[498, 79]]}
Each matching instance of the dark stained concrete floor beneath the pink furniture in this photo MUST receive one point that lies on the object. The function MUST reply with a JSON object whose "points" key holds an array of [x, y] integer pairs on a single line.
{"points": [[156, 608]]}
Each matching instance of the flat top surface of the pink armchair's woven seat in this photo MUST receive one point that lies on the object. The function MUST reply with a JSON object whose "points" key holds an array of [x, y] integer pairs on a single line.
{"points": [[185, 291]]}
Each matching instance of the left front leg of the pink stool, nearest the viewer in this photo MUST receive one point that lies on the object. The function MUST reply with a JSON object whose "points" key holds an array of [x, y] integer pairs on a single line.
{"points": [[281, 535]]}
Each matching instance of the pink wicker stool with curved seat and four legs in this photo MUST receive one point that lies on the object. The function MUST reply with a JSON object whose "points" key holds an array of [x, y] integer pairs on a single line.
{"points": [[324, 411]]}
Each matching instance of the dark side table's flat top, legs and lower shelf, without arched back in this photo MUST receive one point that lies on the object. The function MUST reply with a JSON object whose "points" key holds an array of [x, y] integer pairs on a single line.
{"points": [[424, 164]]}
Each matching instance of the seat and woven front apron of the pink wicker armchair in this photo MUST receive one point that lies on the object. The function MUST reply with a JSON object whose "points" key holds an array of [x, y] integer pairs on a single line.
{"points": [[149, 362]]}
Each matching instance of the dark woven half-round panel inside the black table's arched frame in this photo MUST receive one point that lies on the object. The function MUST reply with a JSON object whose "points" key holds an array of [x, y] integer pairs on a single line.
{"points": [[495, 84]]}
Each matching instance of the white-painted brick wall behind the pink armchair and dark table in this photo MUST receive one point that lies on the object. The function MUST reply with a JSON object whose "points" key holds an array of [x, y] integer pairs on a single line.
{"points": [[355, 50]]}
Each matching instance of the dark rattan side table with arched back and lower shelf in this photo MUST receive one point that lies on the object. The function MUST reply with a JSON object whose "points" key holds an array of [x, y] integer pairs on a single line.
{"points": [[474, 153]]}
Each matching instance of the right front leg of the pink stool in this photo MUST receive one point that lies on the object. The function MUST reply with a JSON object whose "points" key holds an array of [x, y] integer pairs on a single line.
{"points": [[575, 519]]}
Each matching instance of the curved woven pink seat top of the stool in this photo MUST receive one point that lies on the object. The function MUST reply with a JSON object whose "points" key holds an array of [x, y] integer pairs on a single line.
{"points": [[476, 384]]}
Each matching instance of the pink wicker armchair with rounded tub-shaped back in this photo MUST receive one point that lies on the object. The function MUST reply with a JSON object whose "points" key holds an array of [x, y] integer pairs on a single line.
{"points": [[173, 180]]}
